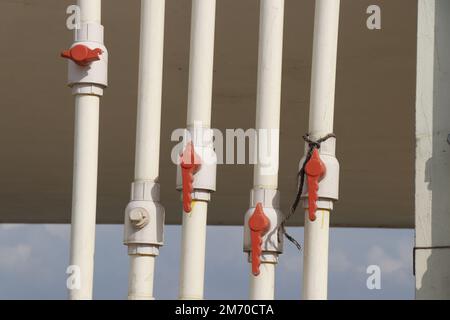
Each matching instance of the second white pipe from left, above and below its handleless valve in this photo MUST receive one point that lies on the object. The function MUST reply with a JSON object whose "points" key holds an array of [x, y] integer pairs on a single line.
{"points": [[140, 283]]}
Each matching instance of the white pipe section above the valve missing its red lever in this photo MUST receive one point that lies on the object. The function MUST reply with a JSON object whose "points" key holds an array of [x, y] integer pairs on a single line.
{"points": [[149, 90]]}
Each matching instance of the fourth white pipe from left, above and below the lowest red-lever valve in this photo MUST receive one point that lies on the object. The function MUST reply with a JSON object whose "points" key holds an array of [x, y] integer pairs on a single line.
{"points": [[265, 175]]}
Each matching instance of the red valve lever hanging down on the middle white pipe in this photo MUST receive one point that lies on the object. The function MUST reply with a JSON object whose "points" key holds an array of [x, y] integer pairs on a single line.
{"points": [[190, 163]]}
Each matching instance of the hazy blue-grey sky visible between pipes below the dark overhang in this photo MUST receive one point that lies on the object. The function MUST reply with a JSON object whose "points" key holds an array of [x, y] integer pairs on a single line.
{"points": [[34, 258]]}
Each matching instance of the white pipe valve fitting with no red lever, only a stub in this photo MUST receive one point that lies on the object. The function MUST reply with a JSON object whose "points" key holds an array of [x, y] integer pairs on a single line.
{"points": [[144, 219]]}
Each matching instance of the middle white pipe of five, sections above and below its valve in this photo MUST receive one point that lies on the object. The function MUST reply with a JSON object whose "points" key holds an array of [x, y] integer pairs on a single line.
{"points": [[199, 113]]}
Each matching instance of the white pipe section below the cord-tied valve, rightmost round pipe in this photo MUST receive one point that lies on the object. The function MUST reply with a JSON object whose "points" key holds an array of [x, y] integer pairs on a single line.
{"points": [[315, 256]]}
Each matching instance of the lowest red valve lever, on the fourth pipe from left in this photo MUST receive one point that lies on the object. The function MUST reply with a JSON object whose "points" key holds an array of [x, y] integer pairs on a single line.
{"points": [[258, 224]]}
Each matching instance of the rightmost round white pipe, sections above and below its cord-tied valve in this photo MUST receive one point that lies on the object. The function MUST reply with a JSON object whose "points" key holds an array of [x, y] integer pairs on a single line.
{"points": [[323, 79]]}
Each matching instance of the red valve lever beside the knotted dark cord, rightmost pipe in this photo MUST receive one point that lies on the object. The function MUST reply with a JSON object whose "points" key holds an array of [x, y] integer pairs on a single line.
{"points": [[315, 170]]}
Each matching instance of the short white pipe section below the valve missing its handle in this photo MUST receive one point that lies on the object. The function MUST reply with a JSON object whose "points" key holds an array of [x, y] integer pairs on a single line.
{"points": [[140, 280]]}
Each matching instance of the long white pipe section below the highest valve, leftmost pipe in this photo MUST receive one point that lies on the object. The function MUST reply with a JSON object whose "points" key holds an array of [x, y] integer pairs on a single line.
{"points": [[84, 197]]}
